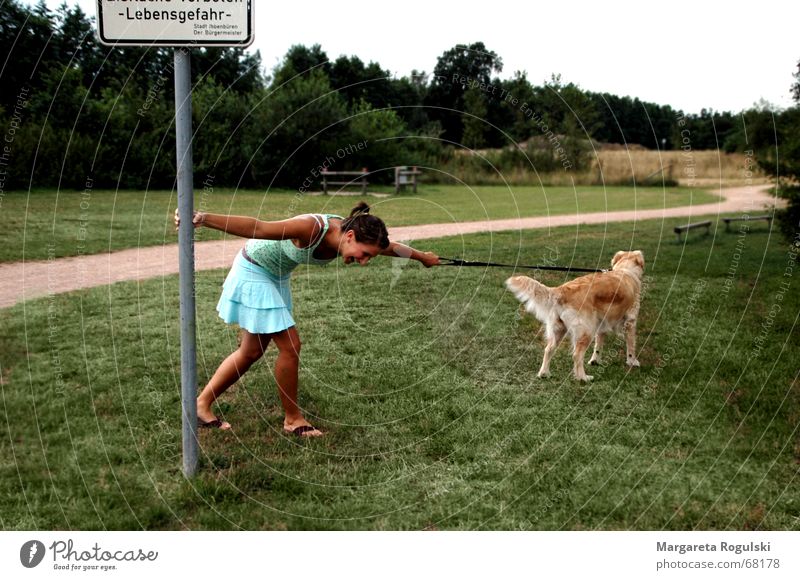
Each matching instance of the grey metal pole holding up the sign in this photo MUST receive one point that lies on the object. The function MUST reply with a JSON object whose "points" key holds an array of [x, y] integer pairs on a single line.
{"points": [[183, 143]]}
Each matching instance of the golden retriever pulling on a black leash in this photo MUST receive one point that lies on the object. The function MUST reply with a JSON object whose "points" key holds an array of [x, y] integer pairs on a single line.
{"points": [[587, 307]]}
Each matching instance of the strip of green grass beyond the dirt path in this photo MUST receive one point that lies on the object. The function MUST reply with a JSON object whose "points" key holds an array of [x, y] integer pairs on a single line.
{"points": [[48, 224]]}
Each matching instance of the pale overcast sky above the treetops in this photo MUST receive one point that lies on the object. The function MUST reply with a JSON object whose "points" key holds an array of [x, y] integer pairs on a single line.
{"points": [[688, 54]]}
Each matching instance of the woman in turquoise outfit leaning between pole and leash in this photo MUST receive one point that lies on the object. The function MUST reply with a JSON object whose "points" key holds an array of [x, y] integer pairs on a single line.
{"points": [[256, 294]]}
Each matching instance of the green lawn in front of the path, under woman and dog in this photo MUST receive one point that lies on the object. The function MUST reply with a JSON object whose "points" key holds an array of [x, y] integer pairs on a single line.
{"points": [[425, 381]]}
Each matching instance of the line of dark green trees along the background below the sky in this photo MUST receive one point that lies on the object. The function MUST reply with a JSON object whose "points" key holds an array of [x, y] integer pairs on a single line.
{"points": [[74, 110]]}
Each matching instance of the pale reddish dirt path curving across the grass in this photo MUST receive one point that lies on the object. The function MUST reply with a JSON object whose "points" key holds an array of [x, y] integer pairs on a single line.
{"points": [[25, 280]]}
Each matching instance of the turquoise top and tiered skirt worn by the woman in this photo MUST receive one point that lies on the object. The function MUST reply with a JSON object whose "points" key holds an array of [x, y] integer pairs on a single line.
{"points": [[257, 294]]}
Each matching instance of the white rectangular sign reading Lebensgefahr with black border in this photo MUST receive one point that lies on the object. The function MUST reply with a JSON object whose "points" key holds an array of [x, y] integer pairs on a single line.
{"points": [[176, 22]]}
